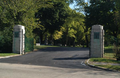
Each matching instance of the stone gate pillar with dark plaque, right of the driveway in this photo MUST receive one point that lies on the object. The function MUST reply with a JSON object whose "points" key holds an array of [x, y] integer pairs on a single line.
{"points": [[97, 42]]}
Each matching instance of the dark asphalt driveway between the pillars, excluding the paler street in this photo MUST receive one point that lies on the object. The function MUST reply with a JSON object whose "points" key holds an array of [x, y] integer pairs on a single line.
{"points": [[64, 57]]}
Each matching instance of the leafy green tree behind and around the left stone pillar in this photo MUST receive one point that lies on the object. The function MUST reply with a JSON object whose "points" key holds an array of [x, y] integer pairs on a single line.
{"points": [[14, 12]]}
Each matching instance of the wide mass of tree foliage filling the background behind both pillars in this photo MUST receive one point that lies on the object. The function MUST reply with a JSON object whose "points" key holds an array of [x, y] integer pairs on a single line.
{"points": [[54, 22]]}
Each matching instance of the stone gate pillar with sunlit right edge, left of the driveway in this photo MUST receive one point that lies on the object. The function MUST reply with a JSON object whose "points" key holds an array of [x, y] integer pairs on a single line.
{"points": [[19, 39]]}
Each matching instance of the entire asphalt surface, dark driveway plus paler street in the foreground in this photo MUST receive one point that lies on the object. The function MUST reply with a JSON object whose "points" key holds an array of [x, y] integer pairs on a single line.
{"points": [[53, 62]]}
